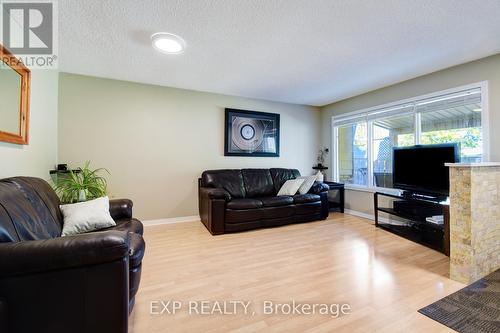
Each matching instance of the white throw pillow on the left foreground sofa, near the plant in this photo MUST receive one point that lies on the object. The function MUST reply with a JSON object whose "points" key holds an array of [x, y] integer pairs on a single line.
{"points": [[86, 216]]}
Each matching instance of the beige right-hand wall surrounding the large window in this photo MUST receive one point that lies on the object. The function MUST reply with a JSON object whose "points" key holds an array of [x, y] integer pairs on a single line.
{"points": [[486, 69]]}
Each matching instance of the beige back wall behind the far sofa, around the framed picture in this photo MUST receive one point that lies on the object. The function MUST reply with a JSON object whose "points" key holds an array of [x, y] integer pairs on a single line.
{"points": [[156, 141]]}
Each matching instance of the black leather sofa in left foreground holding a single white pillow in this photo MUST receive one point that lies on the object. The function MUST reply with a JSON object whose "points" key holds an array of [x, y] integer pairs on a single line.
{"points": [[79, 284]]}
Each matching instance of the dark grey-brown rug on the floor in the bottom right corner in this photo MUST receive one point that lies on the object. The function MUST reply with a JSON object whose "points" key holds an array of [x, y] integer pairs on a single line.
{"points": [[475, 308]]}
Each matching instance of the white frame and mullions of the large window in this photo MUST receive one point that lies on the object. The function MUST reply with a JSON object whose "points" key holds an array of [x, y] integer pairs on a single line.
{"points": [[370, 187]]}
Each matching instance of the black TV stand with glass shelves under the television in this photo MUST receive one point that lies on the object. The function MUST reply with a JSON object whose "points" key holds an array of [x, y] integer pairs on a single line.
{"points": [[413, 212]]}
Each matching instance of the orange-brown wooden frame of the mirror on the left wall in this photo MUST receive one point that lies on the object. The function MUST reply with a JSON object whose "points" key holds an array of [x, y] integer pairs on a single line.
{"points": [[22, 136]]}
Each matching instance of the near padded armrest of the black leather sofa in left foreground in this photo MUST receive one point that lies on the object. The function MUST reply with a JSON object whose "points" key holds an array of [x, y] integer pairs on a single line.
{"points": [[63, 252]]}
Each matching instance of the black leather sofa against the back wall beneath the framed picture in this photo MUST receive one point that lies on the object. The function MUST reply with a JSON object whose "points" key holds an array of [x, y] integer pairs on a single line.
{"points": [[237, 200]]}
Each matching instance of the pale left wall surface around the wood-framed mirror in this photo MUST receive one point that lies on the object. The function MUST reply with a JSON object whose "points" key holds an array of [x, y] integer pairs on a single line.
{"points": [[37, 158]]}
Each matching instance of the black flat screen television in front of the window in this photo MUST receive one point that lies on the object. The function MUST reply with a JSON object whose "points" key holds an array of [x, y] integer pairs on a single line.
{"points": [[421, 169]]}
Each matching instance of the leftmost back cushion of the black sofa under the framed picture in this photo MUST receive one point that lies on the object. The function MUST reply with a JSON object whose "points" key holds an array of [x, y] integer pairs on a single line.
{"points": [[230, 180]]}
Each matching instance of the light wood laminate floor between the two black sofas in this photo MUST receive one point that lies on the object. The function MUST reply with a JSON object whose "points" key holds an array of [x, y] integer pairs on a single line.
{"points": [[345, 259]]}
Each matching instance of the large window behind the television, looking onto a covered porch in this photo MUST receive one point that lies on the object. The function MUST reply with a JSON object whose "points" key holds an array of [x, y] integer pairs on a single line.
{"points": [[364, 141]]}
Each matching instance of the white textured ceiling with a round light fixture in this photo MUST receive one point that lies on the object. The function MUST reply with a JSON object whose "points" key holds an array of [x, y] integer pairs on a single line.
{"points": [[298, 51]]}
